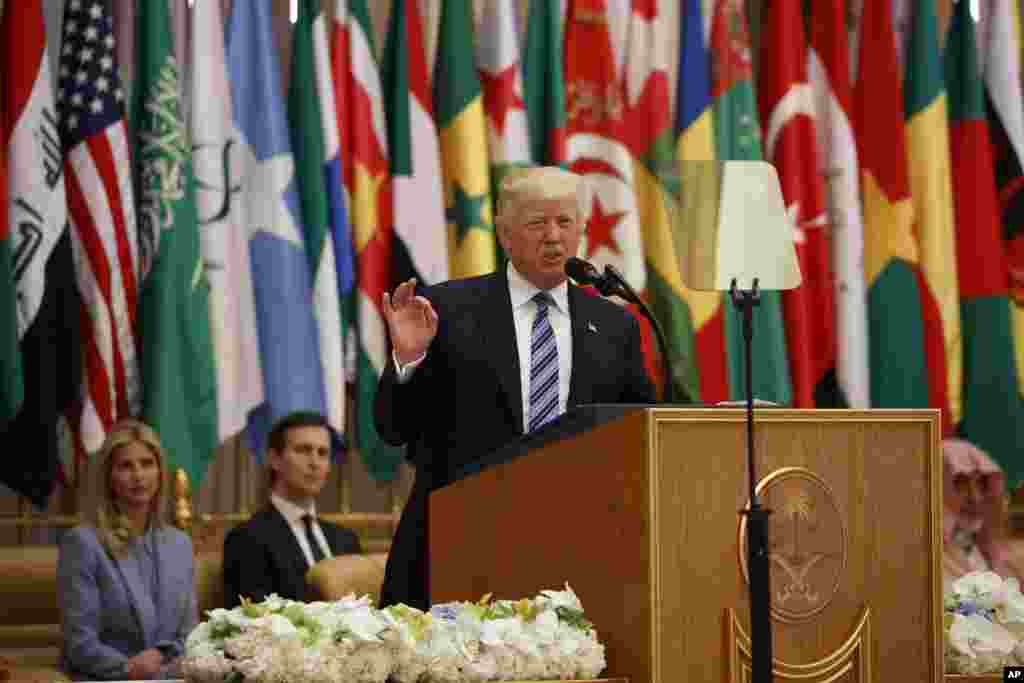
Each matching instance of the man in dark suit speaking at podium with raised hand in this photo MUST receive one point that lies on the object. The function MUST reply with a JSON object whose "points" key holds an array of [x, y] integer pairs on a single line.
{"points": [[481, 362]]}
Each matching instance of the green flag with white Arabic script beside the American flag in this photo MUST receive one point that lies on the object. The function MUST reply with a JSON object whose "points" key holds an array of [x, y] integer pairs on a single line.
{"points": [[180, 395]]}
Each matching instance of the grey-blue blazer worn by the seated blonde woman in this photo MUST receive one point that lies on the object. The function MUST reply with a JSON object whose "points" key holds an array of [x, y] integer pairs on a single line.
{"points": [[108, 611]]}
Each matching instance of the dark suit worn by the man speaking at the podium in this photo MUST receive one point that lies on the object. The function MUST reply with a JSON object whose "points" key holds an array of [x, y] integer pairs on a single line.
{"points": [[465, 400]]}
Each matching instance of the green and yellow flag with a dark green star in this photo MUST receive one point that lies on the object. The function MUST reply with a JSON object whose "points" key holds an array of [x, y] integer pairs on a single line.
{"points": [[459, 111]]}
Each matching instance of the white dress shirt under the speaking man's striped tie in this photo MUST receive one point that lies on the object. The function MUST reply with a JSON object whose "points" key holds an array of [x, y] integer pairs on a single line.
{"points": [[522, 293]]}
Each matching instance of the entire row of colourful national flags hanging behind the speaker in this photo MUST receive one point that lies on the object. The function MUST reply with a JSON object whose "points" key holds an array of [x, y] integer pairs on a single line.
{"points": [[212, 268]]}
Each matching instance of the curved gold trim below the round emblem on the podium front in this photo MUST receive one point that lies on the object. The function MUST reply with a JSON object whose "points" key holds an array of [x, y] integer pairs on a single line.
{"points": [[856, 651]]}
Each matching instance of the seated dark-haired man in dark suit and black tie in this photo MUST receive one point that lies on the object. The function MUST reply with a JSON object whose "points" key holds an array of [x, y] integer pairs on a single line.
{"points": [[273, 551]]}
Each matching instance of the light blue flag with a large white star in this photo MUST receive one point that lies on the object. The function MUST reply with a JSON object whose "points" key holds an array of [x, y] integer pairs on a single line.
{"points": [[288, 333]]}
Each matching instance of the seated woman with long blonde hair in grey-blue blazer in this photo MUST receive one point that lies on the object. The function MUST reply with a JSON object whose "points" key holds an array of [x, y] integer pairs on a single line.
{"points": [[125, 579]]}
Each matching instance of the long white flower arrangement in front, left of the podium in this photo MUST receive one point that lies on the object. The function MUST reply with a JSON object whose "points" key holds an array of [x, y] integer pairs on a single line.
{"points": [[545, 637]]}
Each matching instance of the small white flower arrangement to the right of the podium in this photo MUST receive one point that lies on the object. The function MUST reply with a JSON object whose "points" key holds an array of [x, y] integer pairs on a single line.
{"points": [[984, 624]]}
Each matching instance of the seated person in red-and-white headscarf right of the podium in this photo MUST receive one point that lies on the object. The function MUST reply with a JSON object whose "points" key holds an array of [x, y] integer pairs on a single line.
{"points": [[975, 519]]}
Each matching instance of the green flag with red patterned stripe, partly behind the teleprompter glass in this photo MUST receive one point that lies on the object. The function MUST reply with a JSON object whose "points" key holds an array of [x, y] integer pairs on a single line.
{"points": [[738, 137]]}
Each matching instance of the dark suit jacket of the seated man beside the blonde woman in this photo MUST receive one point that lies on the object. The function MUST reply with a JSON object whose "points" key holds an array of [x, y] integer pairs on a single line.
{"points": [[263, 557]]}
